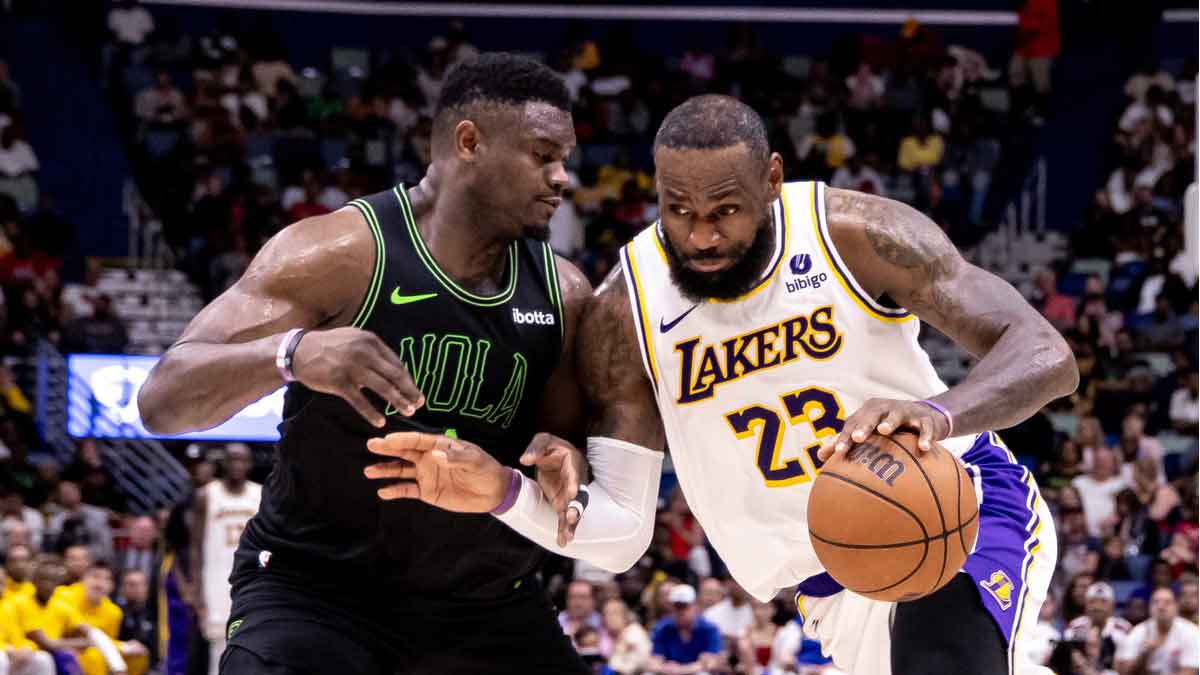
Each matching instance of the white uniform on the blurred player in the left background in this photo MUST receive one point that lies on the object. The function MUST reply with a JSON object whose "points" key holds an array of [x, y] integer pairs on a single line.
{"points": [[224, 522]]}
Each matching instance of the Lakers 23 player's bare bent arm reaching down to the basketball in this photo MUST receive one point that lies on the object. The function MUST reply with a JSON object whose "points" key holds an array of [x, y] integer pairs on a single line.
{"points": [[1024, 363]]}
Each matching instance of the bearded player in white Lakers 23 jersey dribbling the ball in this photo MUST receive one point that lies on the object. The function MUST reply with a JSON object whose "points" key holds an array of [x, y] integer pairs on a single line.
{"points": [[760, 327]]}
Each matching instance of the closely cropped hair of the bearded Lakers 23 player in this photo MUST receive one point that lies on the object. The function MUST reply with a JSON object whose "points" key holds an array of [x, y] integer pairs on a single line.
{"points": [[711, 123]]}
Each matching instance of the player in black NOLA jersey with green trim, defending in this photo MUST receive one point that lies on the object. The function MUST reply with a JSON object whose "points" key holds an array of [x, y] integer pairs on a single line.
{"points": [[431, 308]]}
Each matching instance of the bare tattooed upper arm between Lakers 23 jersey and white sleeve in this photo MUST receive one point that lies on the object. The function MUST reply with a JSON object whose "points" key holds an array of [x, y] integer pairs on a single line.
{"points": [[616, 387]]}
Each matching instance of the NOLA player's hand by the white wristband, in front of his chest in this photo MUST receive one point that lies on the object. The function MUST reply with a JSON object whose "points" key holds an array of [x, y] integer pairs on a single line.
{"points": [[344, 362]]}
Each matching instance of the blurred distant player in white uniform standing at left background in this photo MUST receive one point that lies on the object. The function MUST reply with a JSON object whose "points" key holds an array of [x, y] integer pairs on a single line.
{"points": [[219, 516]]}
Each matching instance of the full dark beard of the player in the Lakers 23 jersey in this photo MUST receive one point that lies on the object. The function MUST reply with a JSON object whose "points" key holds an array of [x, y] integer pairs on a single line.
{"points": [[730, 283]]}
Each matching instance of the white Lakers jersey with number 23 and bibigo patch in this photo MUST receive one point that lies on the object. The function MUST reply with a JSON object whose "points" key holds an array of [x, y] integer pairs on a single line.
{"points": [[748, 389]]}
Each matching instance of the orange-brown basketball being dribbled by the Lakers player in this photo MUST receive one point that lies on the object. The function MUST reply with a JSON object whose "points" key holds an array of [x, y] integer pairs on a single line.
{"points": [[892, 523]]}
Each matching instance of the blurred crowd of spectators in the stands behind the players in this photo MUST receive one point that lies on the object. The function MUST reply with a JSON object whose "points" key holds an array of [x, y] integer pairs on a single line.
{"points": [[231, 144]]}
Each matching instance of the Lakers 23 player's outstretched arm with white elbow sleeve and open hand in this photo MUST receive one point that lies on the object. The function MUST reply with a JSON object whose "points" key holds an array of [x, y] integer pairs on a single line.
{"points": [[626, 446]]}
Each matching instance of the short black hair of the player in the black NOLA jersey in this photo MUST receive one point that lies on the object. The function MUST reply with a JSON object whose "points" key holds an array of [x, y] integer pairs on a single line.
{"points": [[497, 79]]}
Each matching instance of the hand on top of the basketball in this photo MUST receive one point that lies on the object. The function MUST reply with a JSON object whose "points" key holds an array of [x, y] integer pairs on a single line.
{"points": [[886, 417]]}
